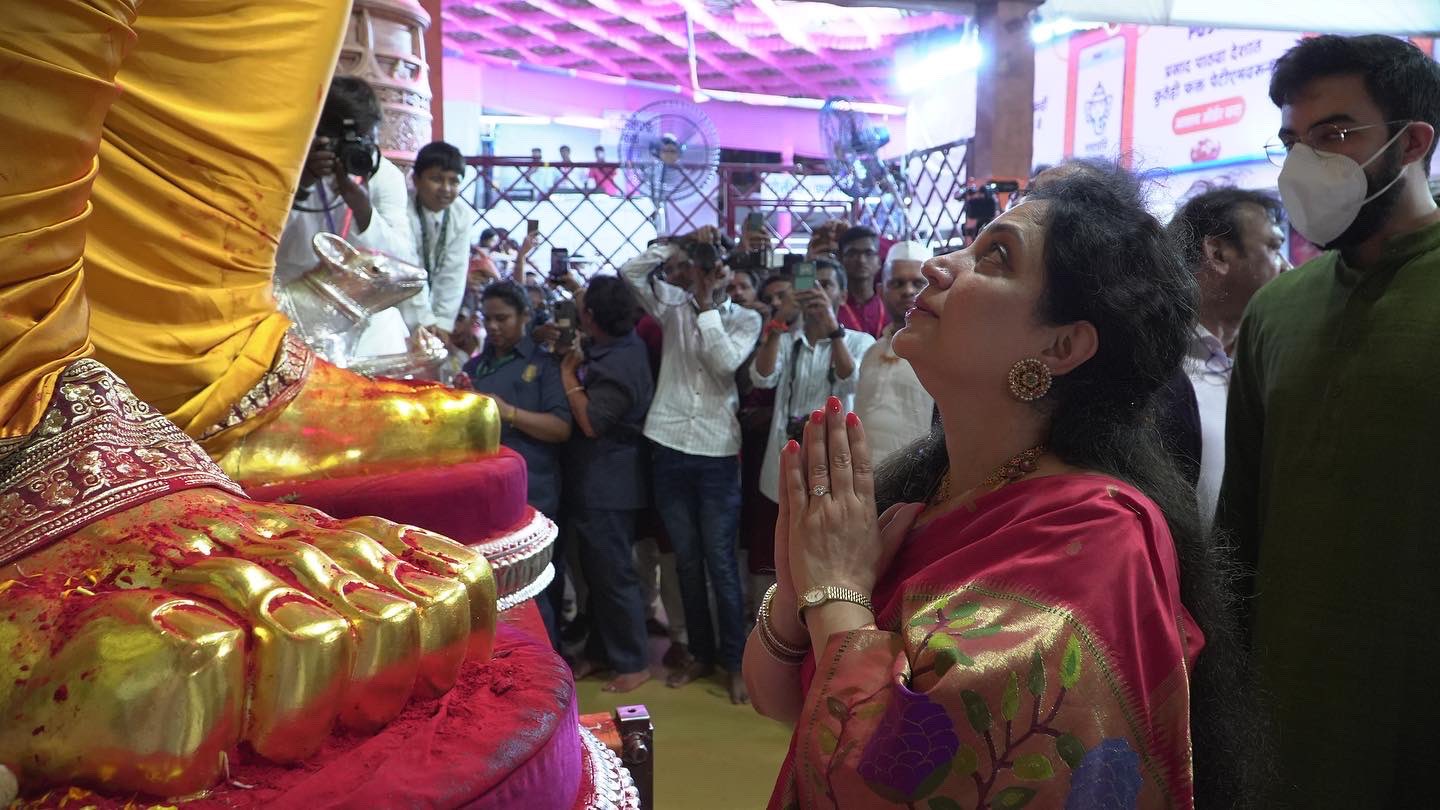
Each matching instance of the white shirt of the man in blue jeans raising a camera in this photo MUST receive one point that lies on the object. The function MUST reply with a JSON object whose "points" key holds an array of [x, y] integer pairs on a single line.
{"points": [[696, 400]]}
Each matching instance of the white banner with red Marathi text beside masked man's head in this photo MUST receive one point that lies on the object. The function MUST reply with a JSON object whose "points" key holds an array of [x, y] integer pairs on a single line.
{"points": [[1189, 106]]}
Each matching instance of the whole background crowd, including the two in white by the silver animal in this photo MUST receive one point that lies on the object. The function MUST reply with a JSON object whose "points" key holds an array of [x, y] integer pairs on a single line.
{"points": [[629, 397]]}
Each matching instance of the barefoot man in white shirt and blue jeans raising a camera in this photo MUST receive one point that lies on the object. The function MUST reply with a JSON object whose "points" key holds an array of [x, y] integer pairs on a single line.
{"points": [[698, 436]]}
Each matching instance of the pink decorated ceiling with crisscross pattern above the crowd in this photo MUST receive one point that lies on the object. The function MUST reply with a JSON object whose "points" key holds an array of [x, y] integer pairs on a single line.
{"points": [[771, 47]]}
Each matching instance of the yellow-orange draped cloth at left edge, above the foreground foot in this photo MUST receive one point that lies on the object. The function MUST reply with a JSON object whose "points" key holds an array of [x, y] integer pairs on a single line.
{"points": [[60, 70]]}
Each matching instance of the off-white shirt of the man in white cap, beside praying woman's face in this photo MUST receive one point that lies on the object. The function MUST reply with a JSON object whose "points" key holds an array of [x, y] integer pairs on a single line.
{"points": [[891, 401]]}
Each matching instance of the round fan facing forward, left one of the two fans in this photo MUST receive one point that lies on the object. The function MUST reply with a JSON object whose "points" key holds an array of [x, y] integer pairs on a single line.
{"points": [[670, 151]]}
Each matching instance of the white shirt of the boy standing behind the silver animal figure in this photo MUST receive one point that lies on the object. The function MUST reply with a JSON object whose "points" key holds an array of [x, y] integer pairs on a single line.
{"points": [[449, 264]]}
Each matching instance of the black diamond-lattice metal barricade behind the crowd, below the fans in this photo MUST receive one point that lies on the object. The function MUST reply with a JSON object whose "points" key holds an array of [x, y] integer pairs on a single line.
{"points": [[603, 213]]}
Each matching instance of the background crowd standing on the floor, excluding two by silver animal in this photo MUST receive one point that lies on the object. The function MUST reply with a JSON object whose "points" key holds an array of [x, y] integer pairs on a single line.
{"points": [[636, 435]]}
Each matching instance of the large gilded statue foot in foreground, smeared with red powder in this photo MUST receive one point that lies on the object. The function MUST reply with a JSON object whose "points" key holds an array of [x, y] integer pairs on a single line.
{"points": [[181, 619]]}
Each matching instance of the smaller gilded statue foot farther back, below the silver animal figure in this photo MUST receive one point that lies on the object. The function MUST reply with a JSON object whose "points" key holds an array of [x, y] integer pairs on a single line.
{"points": [[320, 422]]}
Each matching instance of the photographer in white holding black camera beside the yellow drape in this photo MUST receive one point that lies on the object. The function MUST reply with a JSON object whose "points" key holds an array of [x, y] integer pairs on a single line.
{"points": [[348, 188]]}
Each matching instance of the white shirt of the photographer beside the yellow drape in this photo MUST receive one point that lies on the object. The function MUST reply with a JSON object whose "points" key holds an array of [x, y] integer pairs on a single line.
{"points": [[390, 233]]}
